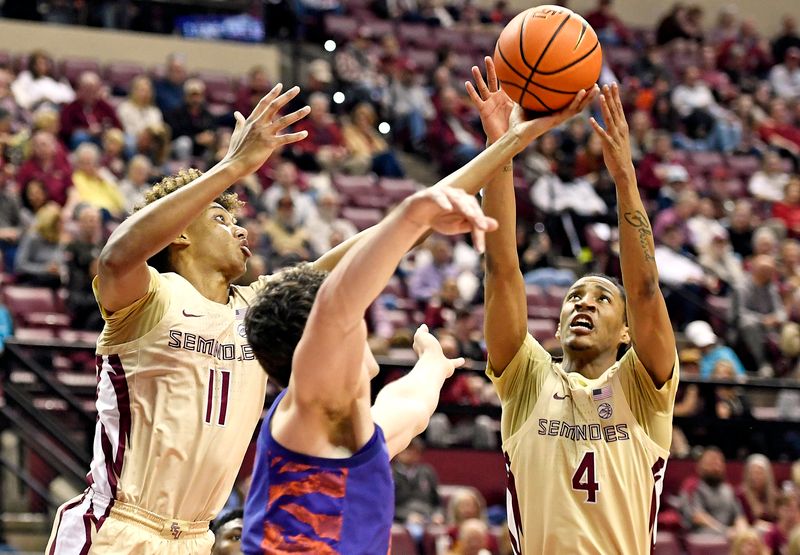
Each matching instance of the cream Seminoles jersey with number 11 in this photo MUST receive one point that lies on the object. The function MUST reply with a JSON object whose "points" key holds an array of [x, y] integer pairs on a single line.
{"points": [[179, 395]]}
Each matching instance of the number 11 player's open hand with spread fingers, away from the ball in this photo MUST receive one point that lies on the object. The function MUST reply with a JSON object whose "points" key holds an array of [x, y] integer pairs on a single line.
{"points": [[255, 138]]}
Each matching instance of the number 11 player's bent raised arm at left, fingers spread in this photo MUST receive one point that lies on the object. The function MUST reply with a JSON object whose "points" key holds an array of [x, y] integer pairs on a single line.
{"points": [[122, 271]]}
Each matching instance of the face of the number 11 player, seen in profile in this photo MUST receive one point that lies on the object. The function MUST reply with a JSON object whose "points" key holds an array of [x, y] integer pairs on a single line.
{"points": [[218, 242]]}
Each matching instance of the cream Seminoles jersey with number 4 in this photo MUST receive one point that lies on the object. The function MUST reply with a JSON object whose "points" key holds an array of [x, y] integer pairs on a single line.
{"points": [[585, 459]]}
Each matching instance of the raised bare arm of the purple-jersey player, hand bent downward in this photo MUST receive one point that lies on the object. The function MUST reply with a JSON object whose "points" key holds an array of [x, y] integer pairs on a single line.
{"points": [[327, 364]]}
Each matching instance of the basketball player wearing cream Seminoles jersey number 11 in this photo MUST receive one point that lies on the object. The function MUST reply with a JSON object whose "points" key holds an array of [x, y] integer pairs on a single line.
{"points": [[179, 390]]}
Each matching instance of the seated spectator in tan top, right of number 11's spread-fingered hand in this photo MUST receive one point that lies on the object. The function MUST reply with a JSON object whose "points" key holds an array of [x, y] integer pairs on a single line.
{"points": [[368, 151]]}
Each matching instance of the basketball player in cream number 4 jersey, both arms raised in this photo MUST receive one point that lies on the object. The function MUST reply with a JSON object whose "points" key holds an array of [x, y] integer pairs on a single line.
{"points": [[586, 439]]}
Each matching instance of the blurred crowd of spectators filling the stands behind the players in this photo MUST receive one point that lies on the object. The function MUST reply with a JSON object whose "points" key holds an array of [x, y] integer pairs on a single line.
{"points": [[714, 111]]}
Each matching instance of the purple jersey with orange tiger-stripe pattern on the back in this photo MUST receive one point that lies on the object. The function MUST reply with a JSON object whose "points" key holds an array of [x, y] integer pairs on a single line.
{"points": [[303, 504]]}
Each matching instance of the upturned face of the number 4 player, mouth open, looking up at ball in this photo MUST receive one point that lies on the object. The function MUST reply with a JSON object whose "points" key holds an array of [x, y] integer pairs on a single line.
{"points": [[592, 317]]}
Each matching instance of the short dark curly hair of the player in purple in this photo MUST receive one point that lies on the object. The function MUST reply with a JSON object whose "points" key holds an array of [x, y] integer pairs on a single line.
{"points": [[277, 317]]}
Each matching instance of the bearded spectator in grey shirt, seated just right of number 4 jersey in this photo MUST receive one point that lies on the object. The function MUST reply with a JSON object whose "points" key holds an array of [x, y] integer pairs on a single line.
{"points": [[709, 501]]}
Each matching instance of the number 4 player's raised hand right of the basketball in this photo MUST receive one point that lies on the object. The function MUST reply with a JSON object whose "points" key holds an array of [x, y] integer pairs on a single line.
{"points": [[616, 137]]}
